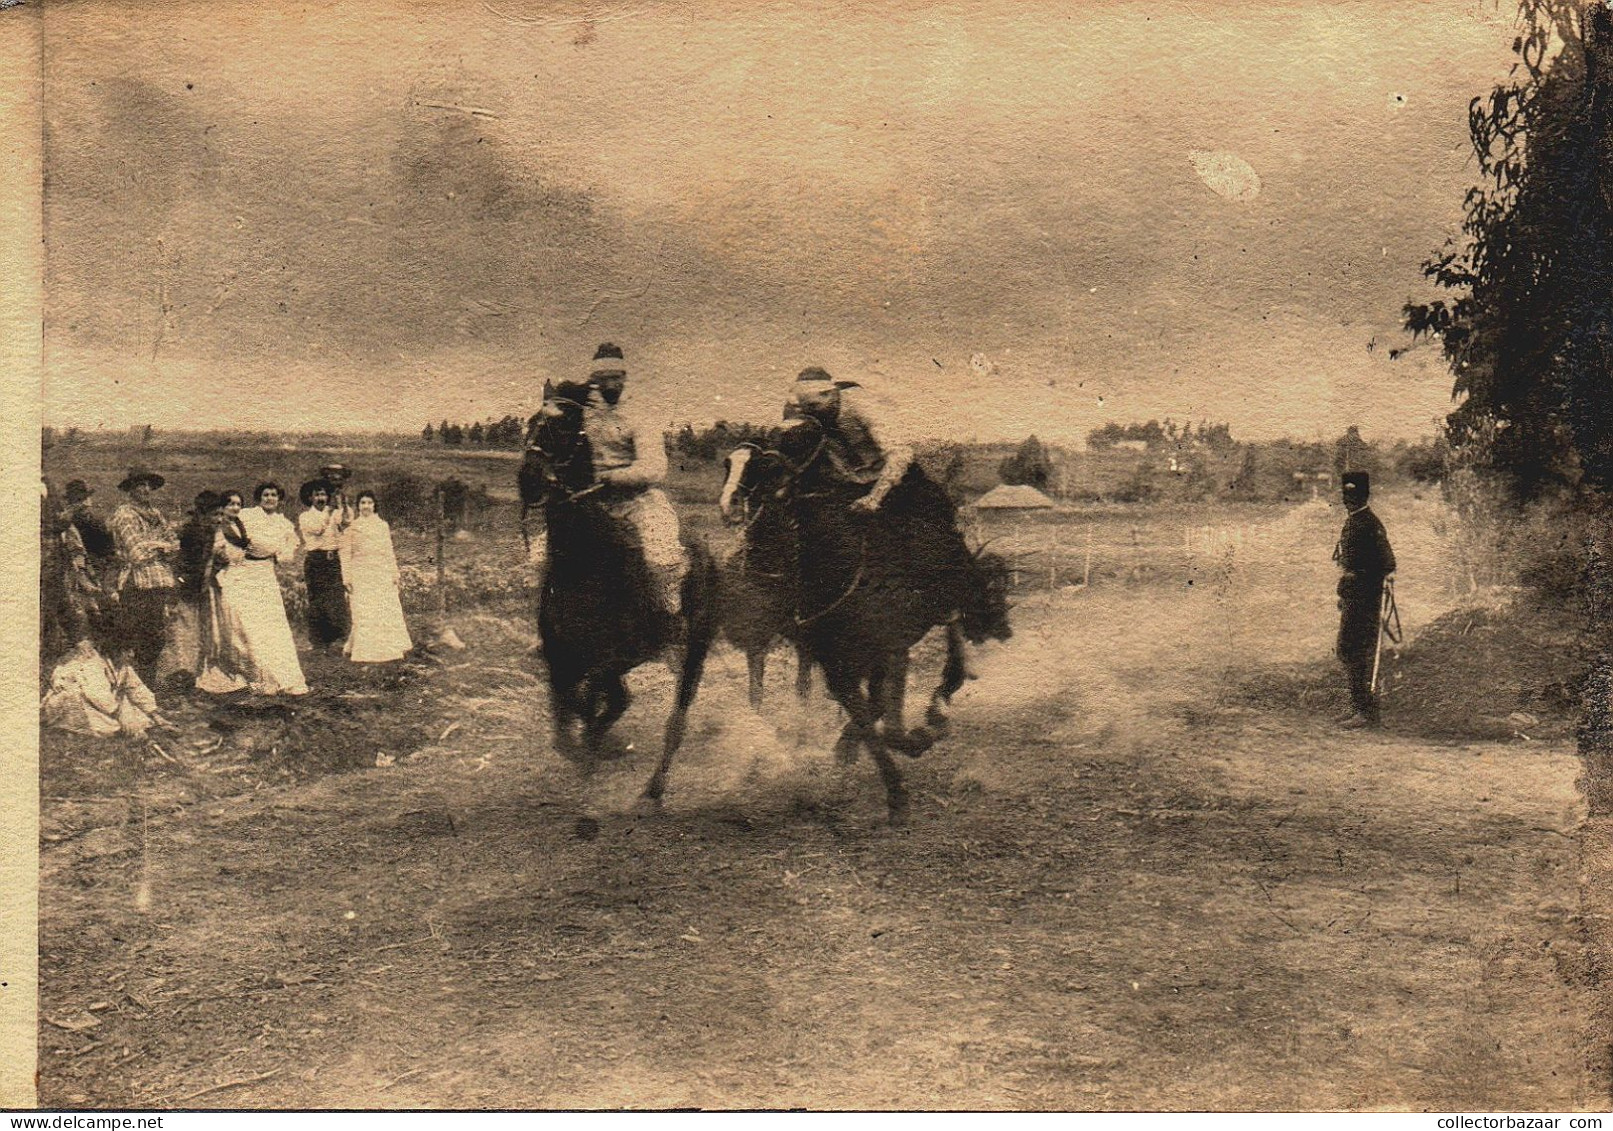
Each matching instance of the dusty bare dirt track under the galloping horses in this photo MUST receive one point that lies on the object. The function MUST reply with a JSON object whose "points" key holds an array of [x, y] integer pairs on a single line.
{"points": [[1128, 883]]}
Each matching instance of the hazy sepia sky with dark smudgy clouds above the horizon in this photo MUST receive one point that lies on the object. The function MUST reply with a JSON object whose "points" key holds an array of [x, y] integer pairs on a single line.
{"points": [[372, 215]]}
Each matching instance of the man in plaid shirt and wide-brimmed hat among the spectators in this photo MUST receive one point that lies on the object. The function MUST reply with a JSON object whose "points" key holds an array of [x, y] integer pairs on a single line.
{"points": [[146, 582]]}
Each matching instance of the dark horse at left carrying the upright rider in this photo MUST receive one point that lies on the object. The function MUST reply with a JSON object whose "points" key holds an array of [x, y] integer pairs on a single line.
{"points": [[598, 616]]}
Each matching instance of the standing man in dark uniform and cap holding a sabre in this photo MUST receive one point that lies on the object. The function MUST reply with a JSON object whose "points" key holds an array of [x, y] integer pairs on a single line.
{"points": [[1365, 561]]}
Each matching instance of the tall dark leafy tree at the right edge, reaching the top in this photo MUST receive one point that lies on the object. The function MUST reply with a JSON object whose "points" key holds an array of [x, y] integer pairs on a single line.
{"points": [[1530, 332]]}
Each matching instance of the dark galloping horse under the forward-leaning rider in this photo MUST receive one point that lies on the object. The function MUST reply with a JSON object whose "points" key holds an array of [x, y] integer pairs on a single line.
{"points": [[872, 586]]}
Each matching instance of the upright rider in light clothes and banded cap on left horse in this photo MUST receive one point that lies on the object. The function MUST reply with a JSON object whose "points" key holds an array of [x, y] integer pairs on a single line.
{"points": [[630, 462]]}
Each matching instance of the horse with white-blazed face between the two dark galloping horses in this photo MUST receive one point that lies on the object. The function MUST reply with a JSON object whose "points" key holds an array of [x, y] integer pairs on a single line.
{"points": [[761, 580]]}
